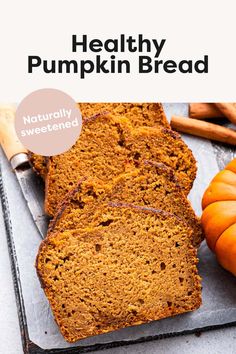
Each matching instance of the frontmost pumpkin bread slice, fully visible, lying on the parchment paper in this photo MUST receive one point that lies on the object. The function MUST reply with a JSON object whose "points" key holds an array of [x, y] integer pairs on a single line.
{"points": [[136, 266]]}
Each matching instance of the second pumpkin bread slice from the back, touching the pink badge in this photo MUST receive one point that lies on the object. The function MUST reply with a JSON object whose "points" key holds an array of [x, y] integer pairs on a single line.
{"points": [[106, 146]]}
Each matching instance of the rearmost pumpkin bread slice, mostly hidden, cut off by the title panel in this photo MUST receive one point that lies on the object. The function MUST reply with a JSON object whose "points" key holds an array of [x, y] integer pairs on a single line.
{"points": [[139, 114]]}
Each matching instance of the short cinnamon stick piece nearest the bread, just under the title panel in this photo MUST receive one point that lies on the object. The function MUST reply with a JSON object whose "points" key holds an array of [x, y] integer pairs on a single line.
{"points": [[204, 110]]}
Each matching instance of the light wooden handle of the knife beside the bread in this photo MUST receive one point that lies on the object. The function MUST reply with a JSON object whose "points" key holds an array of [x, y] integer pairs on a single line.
{"points": [[8, 138]]}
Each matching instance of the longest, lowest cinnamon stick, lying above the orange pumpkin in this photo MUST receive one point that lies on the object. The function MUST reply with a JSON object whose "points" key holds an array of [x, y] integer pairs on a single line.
{"points": [[204, 129]]}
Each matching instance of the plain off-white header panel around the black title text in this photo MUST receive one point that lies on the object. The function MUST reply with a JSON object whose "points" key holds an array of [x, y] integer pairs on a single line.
{"points": [[191, 28]]}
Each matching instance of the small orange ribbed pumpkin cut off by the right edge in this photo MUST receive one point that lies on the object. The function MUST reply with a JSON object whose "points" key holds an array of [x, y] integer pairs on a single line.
{"points": [[219, 216]]}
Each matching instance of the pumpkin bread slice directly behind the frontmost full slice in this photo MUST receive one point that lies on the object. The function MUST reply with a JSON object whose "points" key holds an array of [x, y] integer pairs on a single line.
{"points": [[149, 184]]}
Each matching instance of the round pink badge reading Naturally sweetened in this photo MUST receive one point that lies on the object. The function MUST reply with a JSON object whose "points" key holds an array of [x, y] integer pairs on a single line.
{"points": [[48, 122]]}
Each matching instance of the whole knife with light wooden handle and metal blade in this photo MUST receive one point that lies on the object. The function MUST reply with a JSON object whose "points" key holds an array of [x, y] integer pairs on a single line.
{"points": [[31, 185]]}
